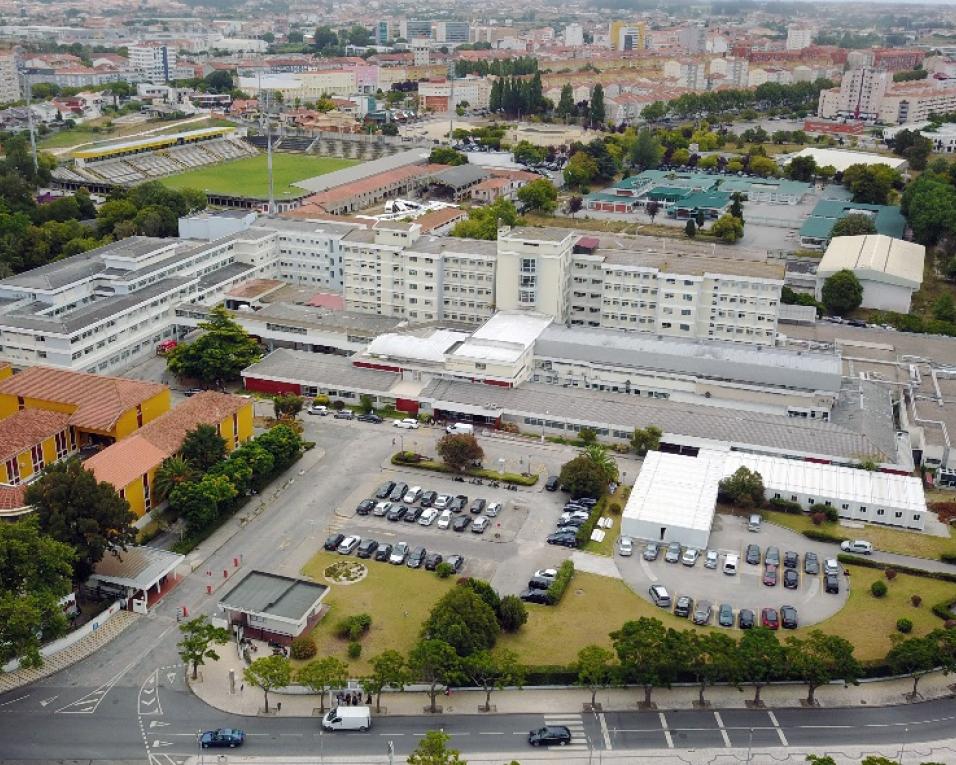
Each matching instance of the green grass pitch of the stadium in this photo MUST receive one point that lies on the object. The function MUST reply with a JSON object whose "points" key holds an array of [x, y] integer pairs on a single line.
{"points": [[247, 177]]}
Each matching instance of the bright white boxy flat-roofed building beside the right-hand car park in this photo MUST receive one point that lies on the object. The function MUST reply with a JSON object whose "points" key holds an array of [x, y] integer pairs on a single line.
{"points": [[674, 497]]}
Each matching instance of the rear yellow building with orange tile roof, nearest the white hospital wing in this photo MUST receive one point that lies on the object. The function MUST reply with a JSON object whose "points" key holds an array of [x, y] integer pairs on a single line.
{"points": [[101, 409]]}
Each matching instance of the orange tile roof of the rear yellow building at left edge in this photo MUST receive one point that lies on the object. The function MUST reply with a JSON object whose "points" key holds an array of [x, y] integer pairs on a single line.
{"points": [[99, 400]]}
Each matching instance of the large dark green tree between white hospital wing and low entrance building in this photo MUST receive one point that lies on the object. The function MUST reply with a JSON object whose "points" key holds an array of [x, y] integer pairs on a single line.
{"points": [[220, 354]]}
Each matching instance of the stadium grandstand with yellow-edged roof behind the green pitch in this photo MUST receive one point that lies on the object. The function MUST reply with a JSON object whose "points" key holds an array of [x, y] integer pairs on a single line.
{"points": [[132, 162]]}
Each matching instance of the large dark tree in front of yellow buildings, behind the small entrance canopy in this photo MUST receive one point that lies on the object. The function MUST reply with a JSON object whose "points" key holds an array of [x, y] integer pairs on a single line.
{"points": [[89, 516]]}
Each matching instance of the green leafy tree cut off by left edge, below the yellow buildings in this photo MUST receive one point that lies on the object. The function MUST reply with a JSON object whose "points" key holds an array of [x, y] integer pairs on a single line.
{"points": [[35, 573]]}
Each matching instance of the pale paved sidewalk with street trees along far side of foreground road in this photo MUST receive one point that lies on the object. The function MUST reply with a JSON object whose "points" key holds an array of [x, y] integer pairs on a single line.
{"points": [[214, 690]]}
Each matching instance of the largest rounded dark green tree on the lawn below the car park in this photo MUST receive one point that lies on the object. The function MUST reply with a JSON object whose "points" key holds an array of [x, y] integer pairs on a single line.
{"points": [[463, 620]]}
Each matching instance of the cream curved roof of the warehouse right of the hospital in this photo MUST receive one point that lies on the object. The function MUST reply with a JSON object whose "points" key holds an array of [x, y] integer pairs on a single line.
{"points": [[877, 257]]}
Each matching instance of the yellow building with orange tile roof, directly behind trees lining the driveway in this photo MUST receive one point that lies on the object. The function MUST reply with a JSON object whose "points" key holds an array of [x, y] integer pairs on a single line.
{"points": [[130, 465]]}
